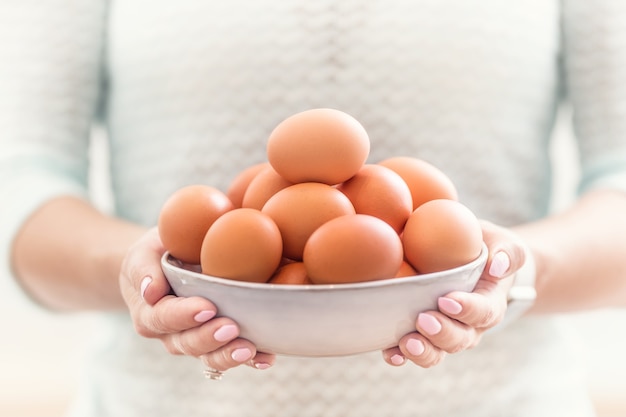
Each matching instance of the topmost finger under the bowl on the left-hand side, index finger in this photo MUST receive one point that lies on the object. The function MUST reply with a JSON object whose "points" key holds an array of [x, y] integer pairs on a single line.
{"points": [[172, 314]]}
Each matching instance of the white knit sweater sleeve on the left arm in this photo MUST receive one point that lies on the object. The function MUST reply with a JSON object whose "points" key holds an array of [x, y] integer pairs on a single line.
{"points": [[51, 55]]}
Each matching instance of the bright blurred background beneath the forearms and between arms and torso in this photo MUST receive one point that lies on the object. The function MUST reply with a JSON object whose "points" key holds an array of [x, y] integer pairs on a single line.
{"points": [[41, 352]]}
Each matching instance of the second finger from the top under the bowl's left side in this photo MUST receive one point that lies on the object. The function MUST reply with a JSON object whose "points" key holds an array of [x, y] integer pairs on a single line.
{"points": [[199, 340]]}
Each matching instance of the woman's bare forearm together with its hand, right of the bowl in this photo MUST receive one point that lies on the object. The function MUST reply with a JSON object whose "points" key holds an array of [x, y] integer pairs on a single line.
{"points": [[580, 263]]}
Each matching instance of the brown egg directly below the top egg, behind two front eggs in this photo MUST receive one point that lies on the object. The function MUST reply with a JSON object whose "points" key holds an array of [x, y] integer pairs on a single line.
{"points": [[300, 209]]}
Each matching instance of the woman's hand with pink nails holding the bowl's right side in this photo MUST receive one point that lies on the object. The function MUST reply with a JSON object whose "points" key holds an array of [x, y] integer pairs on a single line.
{"points": [[463, 317]]}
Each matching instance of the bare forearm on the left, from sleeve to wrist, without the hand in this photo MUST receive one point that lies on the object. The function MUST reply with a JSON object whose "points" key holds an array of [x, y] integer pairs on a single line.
{"points": [[68, 255]]}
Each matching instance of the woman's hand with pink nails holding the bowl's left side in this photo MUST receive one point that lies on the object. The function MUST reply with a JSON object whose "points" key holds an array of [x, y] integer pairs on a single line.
{"points": [[185, 325]]}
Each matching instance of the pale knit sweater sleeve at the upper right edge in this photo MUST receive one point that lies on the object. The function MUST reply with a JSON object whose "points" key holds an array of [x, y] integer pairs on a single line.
{"points": [[594, 34]]}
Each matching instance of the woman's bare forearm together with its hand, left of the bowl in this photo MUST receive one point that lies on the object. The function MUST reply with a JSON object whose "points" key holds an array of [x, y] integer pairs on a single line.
{"points": [[70, 256]]}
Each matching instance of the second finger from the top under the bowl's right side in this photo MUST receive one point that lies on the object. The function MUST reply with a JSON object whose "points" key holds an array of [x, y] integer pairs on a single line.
{"points": [[445, 333]]}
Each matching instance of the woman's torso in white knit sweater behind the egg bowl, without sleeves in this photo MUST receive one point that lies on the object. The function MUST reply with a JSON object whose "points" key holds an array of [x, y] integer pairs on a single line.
{"points": [[195, 88]]}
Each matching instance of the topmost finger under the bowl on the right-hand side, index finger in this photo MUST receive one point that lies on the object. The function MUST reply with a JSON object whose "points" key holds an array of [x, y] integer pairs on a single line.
{"points": [[481, 309]]}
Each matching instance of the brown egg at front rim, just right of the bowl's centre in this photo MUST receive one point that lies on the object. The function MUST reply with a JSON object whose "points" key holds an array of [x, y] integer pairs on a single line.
{"points": [[352, 248]]}
